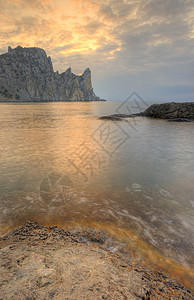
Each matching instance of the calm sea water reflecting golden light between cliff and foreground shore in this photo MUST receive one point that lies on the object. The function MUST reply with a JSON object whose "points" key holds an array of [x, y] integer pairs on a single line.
{"points": [[59, 164]]}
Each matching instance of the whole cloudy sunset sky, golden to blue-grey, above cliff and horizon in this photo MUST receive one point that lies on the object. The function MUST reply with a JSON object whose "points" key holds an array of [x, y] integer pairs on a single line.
{"points": [[146, 46]]}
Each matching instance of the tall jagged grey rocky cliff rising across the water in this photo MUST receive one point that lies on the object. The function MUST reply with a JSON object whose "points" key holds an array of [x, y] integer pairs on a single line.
{"points": [[26, 74]]}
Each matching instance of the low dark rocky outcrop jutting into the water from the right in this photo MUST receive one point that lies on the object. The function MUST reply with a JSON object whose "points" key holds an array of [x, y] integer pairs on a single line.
{"points": [[177, 112]]}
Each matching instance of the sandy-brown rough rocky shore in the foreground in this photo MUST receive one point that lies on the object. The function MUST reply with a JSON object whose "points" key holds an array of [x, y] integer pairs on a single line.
{"points": [[39, 262]]}
